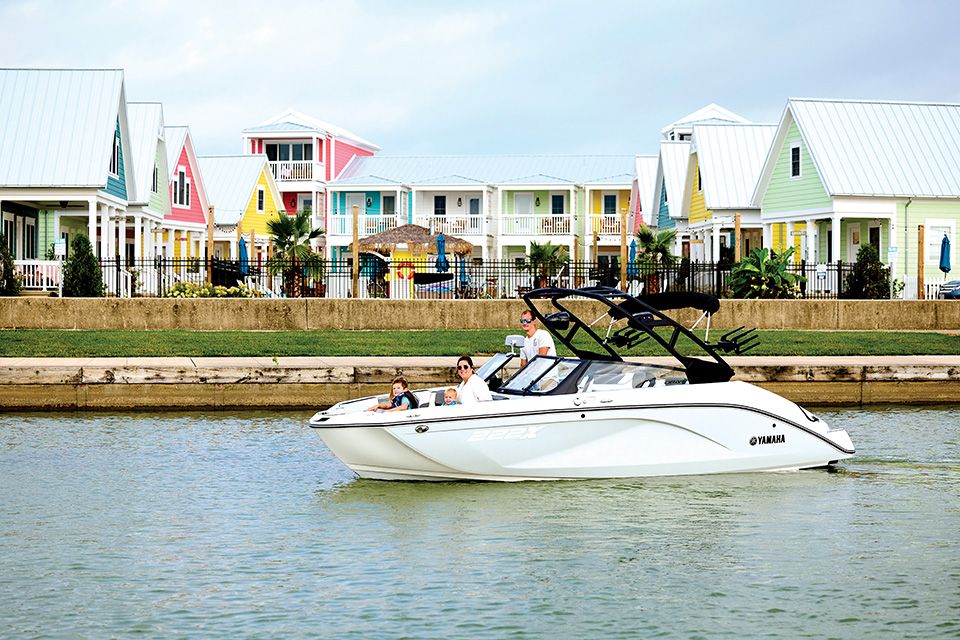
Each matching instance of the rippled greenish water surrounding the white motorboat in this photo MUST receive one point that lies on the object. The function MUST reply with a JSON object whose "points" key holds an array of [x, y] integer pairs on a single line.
{"points": [[243, 525]]}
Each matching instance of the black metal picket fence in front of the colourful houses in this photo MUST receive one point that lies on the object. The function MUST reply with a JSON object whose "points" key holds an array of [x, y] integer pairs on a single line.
{"points": [[411, 279]]}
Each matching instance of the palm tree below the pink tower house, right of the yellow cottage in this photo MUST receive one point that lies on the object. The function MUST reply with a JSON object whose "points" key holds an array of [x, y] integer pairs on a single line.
{"points": [[294, 256]]}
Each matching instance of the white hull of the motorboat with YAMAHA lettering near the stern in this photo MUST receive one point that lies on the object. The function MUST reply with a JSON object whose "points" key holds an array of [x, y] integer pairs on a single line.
{"points": [[725, 427]]}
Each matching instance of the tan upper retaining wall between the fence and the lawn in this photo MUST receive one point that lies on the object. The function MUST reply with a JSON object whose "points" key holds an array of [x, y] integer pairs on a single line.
{"points": [[326, 314]]}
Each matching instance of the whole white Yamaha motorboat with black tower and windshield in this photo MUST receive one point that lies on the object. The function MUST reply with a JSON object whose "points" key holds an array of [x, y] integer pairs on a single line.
{"points": [[597, 414]]}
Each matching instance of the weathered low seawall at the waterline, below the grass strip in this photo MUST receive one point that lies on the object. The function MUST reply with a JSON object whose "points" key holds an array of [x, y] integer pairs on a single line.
{"points": [[229, 383]]}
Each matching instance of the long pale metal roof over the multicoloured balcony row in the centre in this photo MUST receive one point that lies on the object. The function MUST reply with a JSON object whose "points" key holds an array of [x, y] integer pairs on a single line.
{"points": [[492, 169]]}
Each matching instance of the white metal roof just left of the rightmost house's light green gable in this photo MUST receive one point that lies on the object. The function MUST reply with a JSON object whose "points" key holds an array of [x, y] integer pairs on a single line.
{"points": [[731, 158]]}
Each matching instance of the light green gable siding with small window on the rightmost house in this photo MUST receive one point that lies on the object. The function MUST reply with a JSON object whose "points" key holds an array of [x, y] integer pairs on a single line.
{"points": [[785, 194]]}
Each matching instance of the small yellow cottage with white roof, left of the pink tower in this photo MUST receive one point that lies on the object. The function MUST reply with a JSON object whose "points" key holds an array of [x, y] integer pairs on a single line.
{"points": [[244, 196]]}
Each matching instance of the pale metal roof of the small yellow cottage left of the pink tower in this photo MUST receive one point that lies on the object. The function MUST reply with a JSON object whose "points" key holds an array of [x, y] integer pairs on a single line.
{"points": [[230, 182]]}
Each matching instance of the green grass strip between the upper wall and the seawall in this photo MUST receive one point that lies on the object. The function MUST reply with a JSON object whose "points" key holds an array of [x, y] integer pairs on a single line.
{"points": [[61, 344]]}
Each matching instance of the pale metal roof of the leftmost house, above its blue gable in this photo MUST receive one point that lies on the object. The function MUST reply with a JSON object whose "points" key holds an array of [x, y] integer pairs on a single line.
{"points": [[57, 126]]}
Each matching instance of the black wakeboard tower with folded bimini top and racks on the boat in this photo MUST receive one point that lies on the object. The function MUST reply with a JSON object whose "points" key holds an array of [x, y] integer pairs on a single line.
{"points": [[642, 314]]}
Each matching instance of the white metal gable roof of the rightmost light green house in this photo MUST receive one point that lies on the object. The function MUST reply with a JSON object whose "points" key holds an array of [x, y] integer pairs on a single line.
{"points": [[874, 148]]}
